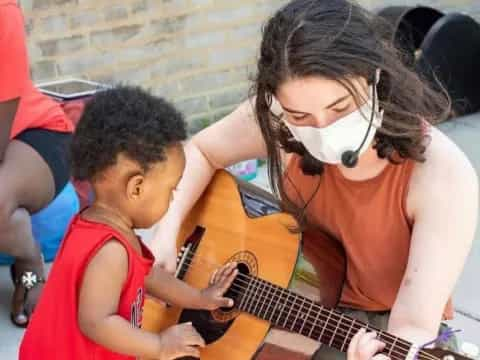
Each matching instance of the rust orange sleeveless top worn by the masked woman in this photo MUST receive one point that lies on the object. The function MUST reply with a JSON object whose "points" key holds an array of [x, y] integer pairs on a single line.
{"points": [[369, 218]]}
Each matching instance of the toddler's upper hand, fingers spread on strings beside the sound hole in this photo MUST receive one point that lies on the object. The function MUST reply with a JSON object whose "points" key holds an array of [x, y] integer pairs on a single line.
{"points": [[220, 281]]}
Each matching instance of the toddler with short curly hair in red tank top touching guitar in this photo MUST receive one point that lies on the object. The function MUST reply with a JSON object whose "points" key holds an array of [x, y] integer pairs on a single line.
{"points": [[127, 145]]}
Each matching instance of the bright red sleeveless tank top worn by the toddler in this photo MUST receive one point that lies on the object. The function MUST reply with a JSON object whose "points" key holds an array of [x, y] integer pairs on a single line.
{"points": [[53, 332]]}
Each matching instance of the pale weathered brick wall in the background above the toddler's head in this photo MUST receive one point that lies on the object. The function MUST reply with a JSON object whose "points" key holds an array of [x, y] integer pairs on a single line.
{"points": [[197, 53]]}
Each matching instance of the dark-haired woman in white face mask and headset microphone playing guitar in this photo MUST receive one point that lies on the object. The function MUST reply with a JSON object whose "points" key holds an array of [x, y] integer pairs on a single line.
{"points": [[345, 126]]}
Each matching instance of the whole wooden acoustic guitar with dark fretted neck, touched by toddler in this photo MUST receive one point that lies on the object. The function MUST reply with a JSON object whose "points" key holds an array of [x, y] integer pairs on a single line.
{"points": [[244, 224]]}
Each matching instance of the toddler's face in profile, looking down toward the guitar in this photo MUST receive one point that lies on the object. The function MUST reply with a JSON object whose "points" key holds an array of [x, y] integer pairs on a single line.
{"points": [[156, 188]]}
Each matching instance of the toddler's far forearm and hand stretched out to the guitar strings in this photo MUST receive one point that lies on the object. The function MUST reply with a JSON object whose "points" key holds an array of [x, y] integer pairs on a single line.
{"points": [[168, 288]]}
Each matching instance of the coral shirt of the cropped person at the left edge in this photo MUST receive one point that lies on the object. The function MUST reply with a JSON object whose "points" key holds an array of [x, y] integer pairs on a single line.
{"points": [[35, 110]]}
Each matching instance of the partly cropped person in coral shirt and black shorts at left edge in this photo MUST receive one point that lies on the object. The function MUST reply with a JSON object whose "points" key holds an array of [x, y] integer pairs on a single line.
{"points": [[34, 135]]}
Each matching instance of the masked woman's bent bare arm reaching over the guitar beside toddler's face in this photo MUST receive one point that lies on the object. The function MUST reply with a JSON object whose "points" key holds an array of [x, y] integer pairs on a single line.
{"points": [[235, 138]]}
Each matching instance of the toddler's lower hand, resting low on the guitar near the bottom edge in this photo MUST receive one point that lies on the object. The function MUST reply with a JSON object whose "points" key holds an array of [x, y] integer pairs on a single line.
{"points": [[178, 341]]}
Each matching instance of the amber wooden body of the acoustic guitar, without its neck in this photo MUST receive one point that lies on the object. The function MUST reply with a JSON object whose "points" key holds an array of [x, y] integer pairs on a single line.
{"points": [[221, 231]]}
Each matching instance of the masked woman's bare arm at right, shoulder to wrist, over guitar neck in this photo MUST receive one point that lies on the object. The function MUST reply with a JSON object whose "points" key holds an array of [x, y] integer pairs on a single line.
{"points": [[443, 200]]}
